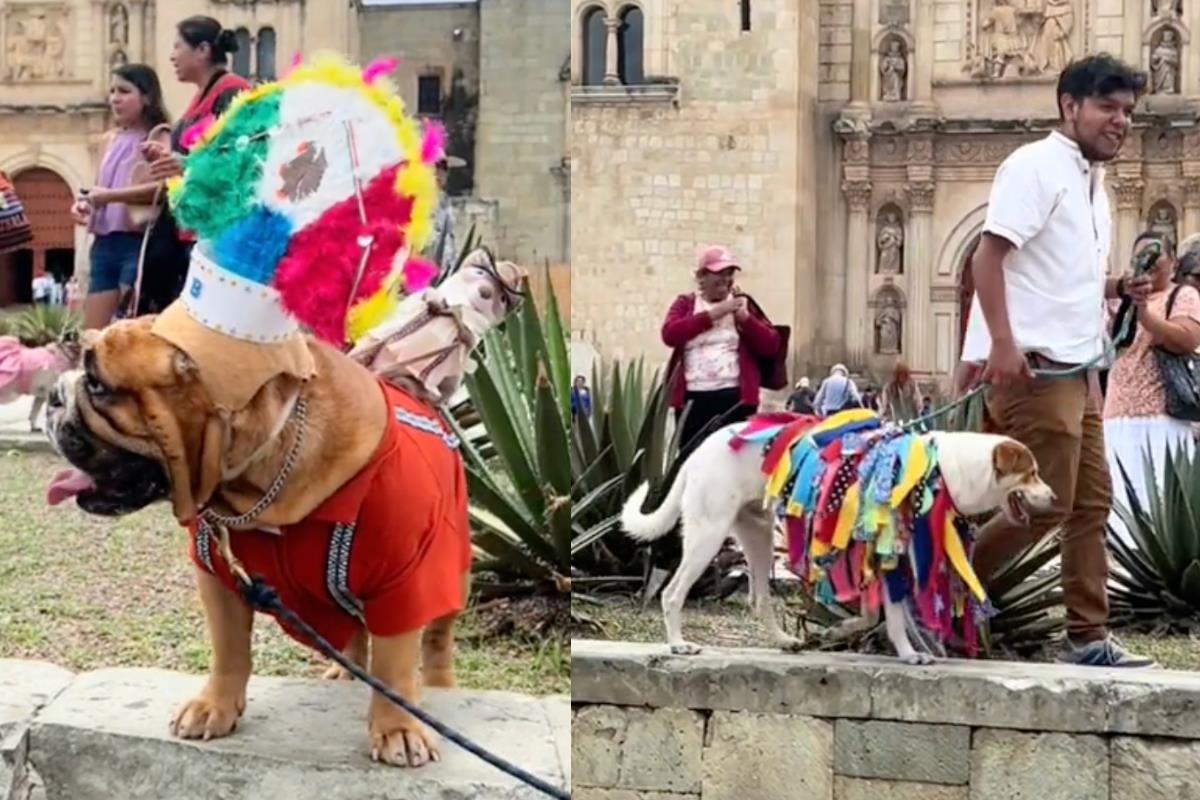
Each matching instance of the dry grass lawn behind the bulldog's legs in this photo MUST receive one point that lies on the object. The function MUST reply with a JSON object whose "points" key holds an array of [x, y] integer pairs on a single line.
{"points": [[86, 592]]}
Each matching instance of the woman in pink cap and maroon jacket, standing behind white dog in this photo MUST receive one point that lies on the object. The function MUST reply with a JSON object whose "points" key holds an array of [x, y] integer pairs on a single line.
{"points": [[719, 338]]}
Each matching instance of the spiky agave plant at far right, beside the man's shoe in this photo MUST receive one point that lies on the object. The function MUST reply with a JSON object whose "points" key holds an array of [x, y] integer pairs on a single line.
{"points": [[1156, 585]]}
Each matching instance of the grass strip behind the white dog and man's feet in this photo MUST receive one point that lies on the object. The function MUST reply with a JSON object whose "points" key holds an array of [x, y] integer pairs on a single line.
{"points": [[731, 624]]}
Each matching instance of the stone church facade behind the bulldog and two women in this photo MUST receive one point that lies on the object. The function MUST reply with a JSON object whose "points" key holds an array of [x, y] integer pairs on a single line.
{"points": [[484, 69]]}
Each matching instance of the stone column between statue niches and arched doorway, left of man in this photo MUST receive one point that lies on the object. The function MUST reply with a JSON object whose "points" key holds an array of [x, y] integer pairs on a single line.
{"points": [[919, 270]]}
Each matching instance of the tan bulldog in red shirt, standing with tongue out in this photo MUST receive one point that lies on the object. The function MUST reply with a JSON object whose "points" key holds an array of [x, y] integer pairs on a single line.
{"points": [[344, 494]]}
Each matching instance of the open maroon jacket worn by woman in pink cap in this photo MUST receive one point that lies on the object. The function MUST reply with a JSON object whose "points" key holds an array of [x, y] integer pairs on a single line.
{"points": [[757, 340]]}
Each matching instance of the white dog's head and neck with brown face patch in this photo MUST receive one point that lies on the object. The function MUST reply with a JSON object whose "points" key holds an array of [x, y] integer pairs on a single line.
{"points": [[985, 472]]}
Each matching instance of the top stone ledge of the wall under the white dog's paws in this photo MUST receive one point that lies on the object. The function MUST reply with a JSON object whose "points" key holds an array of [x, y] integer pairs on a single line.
{"points": [[975, 694]]}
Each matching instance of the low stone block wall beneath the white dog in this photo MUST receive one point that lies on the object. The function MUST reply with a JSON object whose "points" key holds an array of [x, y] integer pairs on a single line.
{"points": [[755, 724]]}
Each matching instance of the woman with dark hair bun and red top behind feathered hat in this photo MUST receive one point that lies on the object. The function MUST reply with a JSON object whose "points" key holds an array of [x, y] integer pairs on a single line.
{"points": [[201, 56]]}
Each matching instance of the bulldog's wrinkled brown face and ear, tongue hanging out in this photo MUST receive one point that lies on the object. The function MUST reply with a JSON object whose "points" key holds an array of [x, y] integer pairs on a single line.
{"points": [[135, 424]]}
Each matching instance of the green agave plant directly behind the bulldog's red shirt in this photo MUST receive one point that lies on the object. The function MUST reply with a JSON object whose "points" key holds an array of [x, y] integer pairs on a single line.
{"points": [[519, 471]]}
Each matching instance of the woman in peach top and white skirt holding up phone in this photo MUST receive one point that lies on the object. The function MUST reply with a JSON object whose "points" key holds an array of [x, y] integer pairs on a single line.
{"points": [[1136, 420]]}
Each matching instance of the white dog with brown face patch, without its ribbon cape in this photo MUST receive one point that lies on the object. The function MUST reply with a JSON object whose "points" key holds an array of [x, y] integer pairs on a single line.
{"points": [[721, 491]]}
